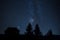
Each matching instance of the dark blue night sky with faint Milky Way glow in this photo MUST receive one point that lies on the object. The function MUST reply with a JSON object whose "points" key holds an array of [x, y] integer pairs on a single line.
{"points": [[18, 13]]}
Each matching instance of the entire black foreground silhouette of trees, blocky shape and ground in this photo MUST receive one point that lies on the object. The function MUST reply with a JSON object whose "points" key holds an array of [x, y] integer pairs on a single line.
{"points": [[12, 33]]}
